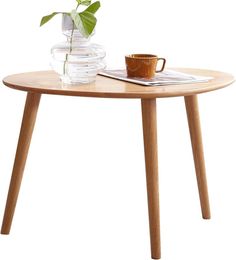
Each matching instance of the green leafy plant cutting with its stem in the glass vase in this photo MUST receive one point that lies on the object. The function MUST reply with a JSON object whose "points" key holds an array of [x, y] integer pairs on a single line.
{"points": [[84, 21]]}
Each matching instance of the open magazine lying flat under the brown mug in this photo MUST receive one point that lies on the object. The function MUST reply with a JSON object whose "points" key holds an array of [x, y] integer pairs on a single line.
{"points": [[167, 77]]}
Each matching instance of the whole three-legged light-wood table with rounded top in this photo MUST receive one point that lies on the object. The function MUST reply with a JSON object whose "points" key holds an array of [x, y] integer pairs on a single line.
{"points": [[48, 82]]}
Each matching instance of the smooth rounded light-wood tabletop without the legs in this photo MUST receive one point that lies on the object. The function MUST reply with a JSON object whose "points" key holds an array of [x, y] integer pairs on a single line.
{"points": [[48, 82]]}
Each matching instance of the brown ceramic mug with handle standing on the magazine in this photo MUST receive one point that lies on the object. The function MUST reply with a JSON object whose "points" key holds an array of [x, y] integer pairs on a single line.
{"points": [[143, 65]]}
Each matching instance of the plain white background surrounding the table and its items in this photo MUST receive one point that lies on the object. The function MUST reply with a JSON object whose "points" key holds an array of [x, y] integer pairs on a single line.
{"points": [[83, 194]]}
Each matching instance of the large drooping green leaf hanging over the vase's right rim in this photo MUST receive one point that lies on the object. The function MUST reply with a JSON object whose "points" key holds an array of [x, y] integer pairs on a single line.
{"points": [[84, 21]]}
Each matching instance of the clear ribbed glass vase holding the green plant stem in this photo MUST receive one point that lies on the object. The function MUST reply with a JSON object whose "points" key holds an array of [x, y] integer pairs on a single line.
{"points": [[76, 60]]}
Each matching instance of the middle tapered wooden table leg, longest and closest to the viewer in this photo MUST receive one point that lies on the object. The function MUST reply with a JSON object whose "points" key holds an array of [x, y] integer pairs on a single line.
{"points": [[150, 147]]}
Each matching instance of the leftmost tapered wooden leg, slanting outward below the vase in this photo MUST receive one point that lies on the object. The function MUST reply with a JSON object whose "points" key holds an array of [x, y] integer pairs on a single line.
{"points": [[27, 126]]}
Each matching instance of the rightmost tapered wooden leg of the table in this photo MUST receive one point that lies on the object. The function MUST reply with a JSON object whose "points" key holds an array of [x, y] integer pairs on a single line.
{"points": [[191, 103]]}
